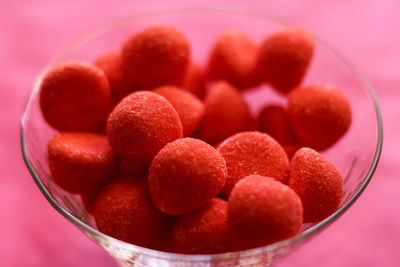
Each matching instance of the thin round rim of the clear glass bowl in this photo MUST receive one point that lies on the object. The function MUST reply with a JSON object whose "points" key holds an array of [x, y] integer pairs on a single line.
{"points": [[200, 257]]}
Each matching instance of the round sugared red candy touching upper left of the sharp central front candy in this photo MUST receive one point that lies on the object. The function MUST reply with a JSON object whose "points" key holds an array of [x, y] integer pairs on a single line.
{"points": [[140, 125]]}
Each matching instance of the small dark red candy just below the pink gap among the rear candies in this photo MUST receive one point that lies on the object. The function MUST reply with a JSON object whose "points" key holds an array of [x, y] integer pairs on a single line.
{"points": [[274, 121]]}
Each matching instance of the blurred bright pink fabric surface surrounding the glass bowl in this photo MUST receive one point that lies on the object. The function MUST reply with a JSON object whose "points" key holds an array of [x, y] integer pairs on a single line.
{"points": [[34, 32]]}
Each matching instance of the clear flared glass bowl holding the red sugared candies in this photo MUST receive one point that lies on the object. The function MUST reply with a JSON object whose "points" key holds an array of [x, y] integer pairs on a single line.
{"points": [[356, 155]]}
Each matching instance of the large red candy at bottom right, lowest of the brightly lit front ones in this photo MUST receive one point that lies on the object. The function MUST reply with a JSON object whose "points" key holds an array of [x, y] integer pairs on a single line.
{"points": [[262, 211]]}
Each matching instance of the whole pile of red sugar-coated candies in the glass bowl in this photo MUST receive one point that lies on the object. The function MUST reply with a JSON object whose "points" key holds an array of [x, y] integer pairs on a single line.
{"points": [[167, 156]]}
